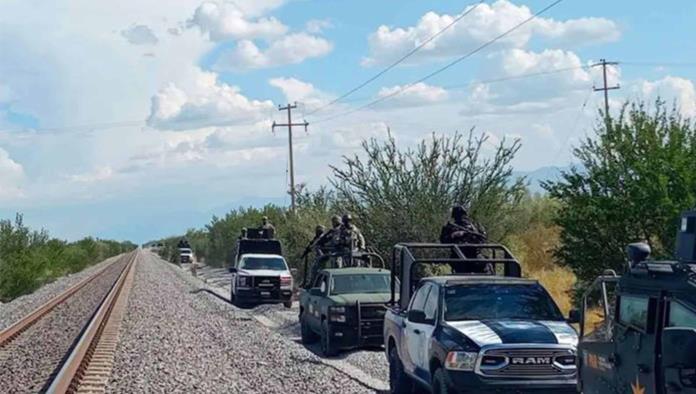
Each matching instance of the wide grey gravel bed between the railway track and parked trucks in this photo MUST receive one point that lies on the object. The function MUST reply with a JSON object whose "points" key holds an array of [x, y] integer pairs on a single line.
{"points": [[174, 339]]}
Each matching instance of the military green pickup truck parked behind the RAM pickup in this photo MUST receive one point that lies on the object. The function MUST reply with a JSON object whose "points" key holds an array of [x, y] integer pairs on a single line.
{"points": [[344, 308]]}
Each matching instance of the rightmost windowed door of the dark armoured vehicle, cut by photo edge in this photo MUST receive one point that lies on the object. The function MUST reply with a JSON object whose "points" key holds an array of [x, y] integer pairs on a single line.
{"points": [[679, 362]]}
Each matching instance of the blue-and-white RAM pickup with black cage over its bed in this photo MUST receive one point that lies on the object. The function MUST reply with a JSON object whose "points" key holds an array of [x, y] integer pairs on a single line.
{"points": [[474, 333]]}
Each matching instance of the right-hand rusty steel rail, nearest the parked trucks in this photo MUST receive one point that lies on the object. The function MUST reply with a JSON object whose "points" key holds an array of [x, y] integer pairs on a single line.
{"points": [[68, 378]]}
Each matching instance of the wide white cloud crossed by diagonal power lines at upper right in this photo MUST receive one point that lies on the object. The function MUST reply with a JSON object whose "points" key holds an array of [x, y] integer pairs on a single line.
{"points": [[481, 25]]}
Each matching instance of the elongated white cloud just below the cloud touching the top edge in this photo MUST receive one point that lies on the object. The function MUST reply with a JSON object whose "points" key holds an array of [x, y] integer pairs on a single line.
{"points": [[291, 49]]}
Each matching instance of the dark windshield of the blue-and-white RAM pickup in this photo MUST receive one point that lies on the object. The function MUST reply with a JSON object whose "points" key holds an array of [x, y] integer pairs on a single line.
{"points": [[489, 301]]}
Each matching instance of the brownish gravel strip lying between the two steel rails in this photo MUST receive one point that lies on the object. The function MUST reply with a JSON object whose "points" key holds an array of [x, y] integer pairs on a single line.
{"points": [[27, 362]]}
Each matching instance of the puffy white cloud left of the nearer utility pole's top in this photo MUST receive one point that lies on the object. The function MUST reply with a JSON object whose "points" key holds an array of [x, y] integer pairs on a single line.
{"points": [[209, 103]]}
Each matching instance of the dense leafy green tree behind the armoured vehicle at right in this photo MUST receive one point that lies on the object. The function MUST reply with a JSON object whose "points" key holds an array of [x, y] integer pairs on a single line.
{"points": [[632, 181]]}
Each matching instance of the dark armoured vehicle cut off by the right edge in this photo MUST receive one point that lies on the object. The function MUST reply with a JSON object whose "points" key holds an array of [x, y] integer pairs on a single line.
{"points": [[645, 341]]}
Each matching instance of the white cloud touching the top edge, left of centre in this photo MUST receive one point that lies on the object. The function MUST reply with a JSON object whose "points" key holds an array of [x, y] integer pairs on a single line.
{"points": [[223, 21]]}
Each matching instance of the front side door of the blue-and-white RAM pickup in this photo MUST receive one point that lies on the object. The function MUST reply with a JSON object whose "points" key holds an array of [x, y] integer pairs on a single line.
{"points": [[413, 334]]}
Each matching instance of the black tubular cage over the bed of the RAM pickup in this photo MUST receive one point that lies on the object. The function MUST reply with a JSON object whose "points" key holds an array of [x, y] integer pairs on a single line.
{"points": [[406, 256]]}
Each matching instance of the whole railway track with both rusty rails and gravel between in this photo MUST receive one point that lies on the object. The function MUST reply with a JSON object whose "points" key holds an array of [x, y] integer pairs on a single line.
{"points": [[67, 344]]}
